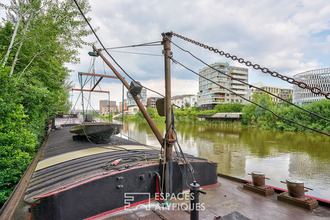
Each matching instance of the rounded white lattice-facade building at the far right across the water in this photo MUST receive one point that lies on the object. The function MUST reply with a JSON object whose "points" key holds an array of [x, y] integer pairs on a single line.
{"points": [[319, 78]]}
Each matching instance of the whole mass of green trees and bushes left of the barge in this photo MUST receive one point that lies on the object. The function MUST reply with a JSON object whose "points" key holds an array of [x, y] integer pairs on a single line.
{"points": [[48, 36]]}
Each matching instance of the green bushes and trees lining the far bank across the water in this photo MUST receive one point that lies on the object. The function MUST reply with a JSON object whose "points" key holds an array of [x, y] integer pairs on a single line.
{"points": [[254, 116]]}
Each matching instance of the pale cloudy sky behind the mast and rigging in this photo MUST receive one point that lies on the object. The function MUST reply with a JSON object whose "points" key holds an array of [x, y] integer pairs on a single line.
{"points": [[289, 37]]}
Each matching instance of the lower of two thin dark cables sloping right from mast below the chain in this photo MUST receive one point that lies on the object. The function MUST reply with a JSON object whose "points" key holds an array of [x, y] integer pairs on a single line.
{"points": [[289, 120]]}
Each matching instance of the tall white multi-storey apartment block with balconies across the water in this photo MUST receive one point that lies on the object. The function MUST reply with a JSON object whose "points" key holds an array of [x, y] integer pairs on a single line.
{"points": [[211, 94]]}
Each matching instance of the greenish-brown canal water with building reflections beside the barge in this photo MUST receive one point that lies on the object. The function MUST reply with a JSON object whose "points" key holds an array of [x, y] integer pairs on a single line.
{"points": [[239, 151]]}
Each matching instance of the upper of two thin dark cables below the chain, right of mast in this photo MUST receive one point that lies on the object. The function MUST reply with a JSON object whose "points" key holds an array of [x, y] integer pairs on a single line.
{"points": [[310, 112]]}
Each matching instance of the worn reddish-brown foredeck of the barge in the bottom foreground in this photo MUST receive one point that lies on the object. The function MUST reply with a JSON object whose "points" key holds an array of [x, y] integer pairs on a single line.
{"points": [[227, 200]]}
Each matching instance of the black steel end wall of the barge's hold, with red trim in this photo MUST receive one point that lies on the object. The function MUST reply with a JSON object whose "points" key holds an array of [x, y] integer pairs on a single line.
{"points": [[107, 193]]}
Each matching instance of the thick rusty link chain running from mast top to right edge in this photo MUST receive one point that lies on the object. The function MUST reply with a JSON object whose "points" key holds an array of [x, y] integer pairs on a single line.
{"points": [[290, 80]]}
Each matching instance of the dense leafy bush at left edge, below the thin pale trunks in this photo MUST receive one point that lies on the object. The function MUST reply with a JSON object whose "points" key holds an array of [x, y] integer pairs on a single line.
{"points": [[17, 145]]}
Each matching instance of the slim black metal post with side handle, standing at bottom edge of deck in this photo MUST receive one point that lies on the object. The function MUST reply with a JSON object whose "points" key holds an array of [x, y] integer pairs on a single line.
{"points": [[194, 200]]}
